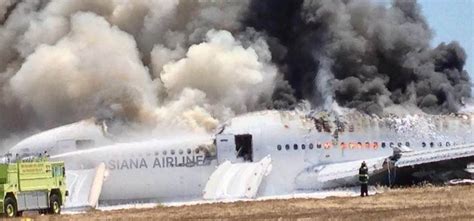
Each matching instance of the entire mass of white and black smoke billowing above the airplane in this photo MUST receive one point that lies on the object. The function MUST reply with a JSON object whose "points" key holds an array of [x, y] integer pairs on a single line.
{"points": [[192, 64]]}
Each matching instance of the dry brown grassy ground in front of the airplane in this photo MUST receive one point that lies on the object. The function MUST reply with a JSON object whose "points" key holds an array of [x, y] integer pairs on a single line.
{"points": [[434, 203]]}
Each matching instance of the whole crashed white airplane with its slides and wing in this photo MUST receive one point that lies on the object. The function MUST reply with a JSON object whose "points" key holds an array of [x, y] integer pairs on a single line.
{"points": [[258, 154]]}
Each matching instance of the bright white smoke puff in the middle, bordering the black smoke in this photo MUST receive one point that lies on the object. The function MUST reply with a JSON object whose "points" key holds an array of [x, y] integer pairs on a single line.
{"points": [[215, 80]]}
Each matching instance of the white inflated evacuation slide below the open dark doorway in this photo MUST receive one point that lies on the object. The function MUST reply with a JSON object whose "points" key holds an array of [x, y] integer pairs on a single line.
{"points": [[238, 180]]}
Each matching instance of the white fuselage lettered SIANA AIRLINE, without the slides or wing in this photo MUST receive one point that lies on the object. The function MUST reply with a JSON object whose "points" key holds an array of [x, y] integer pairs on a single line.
{"points": [[180, 168]]}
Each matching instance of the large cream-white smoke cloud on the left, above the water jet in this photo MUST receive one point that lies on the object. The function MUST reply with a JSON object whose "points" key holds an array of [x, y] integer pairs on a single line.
{"points": [[66, 80]]}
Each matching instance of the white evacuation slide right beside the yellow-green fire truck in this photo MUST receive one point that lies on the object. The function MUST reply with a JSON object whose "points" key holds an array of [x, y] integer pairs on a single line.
{"points": [[84, 187]]}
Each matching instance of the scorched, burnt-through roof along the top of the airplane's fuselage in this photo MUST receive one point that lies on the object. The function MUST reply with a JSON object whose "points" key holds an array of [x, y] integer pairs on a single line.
{"points": [[330, 122]]}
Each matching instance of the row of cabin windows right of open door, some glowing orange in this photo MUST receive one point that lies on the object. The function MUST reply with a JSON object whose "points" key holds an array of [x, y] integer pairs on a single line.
{"points": [[374, 145]]}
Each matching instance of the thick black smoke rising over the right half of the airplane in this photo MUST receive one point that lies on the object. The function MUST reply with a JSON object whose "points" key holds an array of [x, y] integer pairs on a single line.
{"points": [[378, 57]]}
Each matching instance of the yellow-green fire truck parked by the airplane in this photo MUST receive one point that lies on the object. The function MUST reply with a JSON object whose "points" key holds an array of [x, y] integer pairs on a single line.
{"points": [[36, 184]]}
